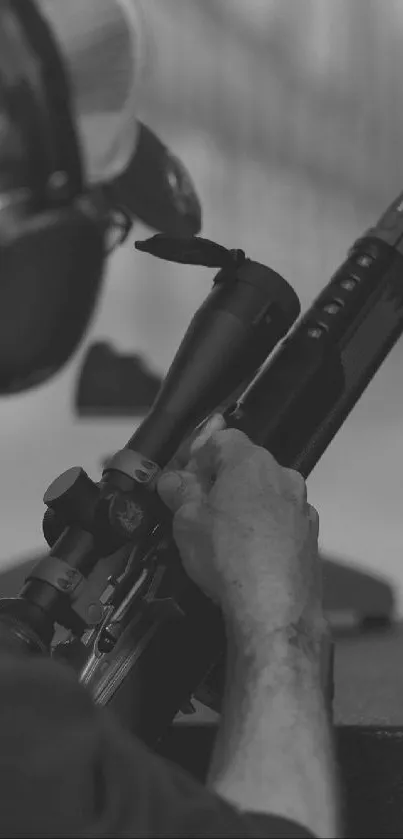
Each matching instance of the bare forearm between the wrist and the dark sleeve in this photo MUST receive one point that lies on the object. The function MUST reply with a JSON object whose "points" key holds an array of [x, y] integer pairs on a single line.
{"points": [[274, 751]]}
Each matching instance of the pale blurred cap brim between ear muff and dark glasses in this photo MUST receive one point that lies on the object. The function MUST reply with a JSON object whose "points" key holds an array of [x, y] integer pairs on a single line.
{"points": [[102, 42]]}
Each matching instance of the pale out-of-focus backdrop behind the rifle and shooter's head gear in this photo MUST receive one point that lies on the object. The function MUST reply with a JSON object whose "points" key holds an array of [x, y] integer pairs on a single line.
{"points": [[288, 114]]}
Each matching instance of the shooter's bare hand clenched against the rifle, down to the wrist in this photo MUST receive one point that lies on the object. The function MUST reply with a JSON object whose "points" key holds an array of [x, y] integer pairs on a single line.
{"points": [[245, 531]]}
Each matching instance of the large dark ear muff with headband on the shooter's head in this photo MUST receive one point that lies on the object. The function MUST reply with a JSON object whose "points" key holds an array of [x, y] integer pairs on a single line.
{"points": [[52, 238]]}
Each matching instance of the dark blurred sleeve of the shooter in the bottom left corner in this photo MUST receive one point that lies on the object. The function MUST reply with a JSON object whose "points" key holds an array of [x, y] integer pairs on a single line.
{"points": [[68, 769]]}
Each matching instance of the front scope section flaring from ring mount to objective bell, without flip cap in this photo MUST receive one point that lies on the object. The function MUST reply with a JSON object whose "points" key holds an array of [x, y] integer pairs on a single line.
{"points": [[249, 309]]}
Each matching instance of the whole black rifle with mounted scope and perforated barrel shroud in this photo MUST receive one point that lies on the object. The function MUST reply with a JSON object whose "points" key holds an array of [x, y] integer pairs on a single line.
{"points": [[111, 598]]}
